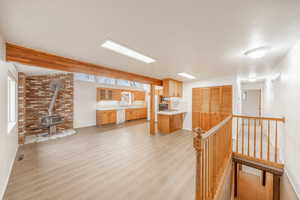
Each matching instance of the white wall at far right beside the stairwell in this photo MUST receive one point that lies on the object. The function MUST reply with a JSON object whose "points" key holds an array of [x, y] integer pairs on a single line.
{"points": [[282, 98]]}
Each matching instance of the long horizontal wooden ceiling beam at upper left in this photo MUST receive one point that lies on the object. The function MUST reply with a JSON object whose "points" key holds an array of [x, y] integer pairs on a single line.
{"points": [[41, 59]]}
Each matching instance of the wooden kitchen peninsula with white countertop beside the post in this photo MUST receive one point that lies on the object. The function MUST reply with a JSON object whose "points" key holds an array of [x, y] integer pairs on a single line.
{"points": [[170, 121]]}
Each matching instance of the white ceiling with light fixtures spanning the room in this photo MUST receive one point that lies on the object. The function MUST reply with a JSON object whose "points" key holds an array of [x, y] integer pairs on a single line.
{"points": [[203, 37]]}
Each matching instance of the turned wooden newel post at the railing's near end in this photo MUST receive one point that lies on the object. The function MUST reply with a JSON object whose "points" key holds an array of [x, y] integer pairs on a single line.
{"points": [[198, 145]]}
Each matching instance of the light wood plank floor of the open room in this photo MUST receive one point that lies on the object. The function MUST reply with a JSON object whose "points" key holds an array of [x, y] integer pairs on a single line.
{"points": [[111, 163]]}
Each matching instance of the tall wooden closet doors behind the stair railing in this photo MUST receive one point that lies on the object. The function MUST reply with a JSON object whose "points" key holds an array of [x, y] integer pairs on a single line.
{"points": [[210, 106]]}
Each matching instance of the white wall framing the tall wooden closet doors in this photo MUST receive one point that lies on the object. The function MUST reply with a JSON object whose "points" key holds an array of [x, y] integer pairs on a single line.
{"points": [[187, 95]]}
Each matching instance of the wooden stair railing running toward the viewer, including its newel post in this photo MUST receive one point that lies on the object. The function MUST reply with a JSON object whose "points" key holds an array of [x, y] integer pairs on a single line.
{"points": [[214, 149]]}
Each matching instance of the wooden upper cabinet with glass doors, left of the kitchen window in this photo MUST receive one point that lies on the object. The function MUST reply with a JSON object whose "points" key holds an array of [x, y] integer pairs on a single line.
{"points": [[108, 94]]}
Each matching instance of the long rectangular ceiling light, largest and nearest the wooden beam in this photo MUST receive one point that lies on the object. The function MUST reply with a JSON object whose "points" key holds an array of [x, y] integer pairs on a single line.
{"points": [[108, 44]]}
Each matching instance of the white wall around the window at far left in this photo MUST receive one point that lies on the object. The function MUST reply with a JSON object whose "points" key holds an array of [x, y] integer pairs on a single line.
{"points": [[8, 141]]}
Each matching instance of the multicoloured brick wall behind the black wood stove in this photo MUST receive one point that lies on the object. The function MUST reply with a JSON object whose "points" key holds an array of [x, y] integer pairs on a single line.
{"points": [[37, 99]]}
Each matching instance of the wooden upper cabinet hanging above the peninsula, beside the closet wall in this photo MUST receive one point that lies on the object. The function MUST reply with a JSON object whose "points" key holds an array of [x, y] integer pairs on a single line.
{"points": [[172, 88]]}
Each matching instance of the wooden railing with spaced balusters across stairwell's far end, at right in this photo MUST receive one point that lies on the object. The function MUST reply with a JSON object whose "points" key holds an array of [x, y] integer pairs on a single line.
{"points": [[257, 137]]}
